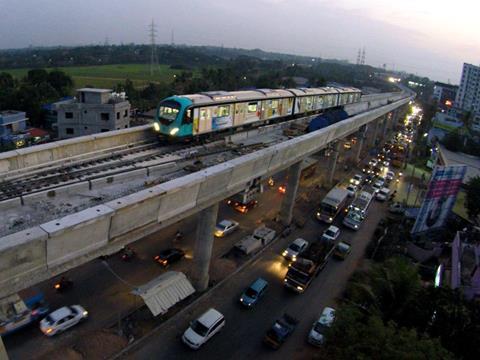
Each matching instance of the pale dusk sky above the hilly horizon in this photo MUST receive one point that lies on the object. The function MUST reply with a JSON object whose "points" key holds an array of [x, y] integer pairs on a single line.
{"points": [[427, 37]]}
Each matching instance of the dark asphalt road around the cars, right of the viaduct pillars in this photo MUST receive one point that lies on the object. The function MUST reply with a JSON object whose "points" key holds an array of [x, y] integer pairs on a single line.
{"points": [[242, 336]]}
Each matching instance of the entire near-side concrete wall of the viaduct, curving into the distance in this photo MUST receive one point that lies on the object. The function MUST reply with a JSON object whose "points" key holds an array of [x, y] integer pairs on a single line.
{"points": [[36, 254]]}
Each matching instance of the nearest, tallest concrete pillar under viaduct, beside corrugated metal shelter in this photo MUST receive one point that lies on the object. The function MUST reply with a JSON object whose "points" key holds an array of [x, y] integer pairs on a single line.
{"points": [[203, 246]]}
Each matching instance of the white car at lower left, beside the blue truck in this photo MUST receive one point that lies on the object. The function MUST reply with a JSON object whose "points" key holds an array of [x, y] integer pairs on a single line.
{"points": [[62, 319]]}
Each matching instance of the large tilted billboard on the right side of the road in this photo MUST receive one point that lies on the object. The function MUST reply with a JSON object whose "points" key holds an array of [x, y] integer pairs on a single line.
{"points": [[440, 198]]}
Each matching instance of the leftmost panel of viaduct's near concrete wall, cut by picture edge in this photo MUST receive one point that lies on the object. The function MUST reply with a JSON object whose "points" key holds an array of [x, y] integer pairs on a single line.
{"points": [[22, 259]]}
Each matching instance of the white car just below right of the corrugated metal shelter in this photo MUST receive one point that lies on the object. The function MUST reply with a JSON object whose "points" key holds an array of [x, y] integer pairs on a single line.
{"points": [[202, 329]]}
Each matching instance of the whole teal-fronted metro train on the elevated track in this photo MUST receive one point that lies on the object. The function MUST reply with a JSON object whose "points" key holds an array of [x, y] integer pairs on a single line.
{"points": [[197, 115]]}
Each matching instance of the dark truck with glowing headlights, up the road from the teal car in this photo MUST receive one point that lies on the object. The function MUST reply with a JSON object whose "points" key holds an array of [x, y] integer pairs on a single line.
{"points": [[309, 263]]}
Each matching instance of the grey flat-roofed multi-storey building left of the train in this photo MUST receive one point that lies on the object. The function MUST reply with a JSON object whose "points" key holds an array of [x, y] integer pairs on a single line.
{"points": [[92, 111]]}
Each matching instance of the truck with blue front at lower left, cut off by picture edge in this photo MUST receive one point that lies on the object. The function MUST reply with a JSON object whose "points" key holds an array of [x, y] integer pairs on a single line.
{"points": [[16, 313]]}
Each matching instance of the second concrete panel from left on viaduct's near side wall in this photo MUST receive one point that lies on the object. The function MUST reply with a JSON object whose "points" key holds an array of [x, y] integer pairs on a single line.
{"points": [[72, 238]]}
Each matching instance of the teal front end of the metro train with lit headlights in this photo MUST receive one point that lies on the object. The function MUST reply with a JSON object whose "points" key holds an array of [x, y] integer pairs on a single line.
{"points": [[173, 117]]}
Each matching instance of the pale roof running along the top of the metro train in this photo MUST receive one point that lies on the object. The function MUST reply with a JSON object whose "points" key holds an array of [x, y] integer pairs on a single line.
{"points": [[215, 97]]}
